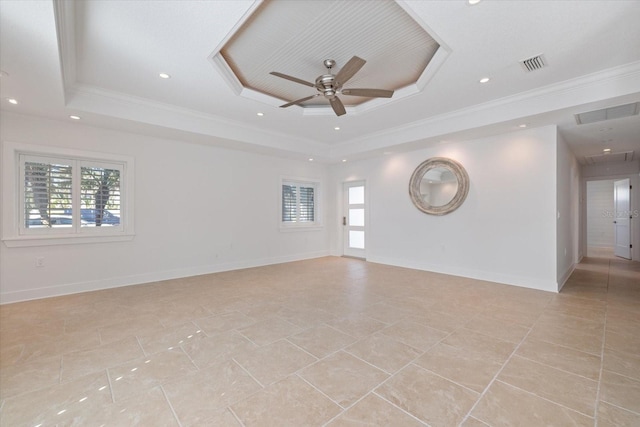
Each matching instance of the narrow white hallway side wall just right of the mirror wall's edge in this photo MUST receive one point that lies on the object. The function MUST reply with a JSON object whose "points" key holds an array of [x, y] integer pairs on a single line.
{"points": [[568, 211]]}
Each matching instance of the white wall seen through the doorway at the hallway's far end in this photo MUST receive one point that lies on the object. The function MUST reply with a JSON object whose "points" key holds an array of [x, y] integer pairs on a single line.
{"points": [[599, 207]]}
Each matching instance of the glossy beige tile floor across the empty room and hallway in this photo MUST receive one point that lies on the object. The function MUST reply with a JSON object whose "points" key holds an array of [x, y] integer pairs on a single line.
{"points": [[331, 341]]}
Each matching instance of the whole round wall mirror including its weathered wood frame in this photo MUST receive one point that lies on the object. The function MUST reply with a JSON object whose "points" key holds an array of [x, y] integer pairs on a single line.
{"points": [[439, 186]]}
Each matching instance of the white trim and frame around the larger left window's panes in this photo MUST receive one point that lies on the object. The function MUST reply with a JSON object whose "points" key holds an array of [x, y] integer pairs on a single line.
{"points": [[12, 199]]}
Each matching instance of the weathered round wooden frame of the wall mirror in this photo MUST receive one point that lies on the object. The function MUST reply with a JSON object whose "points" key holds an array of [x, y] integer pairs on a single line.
{"points": [[435, 162]]}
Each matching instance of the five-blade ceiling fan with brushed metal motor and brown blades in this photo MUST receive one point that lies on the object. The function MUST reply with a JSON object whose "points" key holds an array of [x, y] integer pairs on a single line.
{"points": [[330, 85]]}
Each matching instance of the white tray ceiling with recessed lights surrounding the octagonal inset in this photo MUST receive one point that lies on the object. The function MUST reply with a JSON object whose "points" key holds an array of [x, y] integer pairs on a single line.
{"points": [[100, 60]]}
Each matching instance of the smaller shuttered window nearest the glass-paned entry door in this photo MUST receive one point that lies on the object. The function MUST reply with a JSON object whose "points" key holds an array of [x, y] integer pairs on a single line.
{"points": [[299, 203]]}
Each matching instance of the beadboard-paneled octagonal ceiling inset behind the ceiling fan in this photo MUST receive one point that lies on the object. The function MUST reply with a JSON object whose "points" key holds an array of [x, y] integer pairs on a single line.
{"points": [[295, 37]]}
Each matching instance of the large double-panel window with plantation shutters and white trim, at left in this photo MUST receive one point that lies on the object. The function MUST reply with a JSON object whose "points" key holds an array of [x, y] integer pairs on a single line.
{"points": [[65, 196]]}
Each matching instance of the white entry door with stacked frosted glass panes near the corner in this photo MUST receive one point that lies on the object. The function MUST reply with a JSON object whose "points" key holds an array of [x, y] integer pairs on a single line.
{"points": [[353, 220]]}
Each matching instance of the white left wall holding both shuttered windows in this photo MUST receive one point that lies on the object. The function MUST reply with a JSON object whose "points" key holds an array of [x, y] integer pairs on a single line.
{"points": [[199, 209]]}
